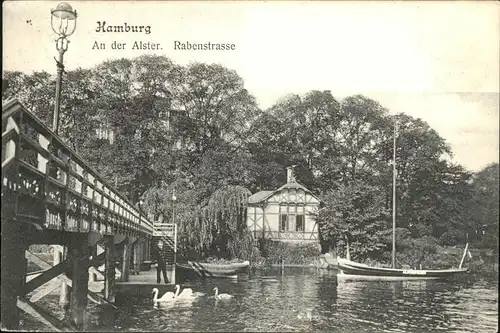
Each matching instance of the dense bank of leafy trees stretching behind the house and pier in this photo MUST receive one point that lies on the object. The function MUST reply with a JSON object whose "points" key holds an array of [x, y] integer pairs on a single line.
{"points": [[160, 128]]}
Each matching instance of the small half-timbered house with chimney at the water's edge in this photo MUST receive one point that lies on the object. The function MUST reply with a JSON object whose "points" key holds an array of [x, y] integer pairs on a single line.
{"points": [[286, 214]]}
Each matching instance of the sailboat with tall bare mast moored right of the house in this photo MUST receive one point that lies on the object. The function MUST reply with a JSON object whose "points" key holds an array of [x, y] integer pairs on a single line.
{"points": [[351, 270]]}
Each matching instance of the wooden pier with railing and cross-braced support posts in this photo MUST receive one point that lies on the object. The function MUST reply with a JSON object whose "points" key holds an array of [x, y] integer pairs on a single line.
{"points": [[51, 196]]}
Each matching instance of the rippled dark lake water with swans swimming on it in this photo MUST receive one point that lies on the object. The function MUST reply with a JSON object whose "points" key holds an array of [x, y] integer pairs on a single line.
{"points": [[309, 300]]}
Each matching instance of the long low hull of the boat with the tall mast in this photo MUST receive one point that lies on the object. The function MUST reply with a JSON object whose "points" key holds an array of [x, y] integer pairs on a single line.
{"points": [[350, 270]]}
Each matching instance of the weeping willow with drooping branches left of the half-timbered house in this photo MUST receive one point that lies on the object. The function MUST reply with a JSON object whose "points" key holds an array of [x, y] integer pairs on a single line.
{"points": [[214, 226]]}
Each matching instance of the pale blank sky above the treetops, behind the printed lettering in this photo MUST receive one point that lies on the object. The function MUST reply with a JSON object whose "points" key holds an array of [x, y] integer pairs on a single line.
{"points": [[438, 61]]}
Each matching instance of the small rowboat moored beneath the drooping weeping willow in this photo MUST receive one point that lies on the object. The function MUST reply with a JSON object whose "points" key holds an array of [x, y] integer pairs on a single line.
{"points": [[193, 269]]}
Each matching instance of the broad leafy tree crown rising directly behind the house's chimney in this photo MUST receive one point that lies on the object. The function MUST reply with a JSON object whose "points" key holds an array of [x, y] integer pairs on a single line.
{"points": [[295, 131]]}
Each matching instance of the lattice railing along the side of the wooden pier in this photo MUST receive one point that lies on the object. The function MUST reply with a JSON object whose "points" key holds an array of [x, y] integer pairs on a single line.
{"points": [[46, 183]]}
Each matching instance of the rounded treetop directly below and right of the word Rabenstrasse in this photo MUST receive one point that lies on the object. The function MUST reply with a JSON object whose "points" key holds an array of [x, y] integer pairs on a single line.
{"points": [[218, 105]]}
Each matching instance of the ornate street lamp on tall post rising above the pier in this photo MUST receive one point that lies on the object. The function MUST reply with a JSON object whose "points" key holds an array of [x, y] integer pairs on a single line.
{"points": [[63, 22]]}
